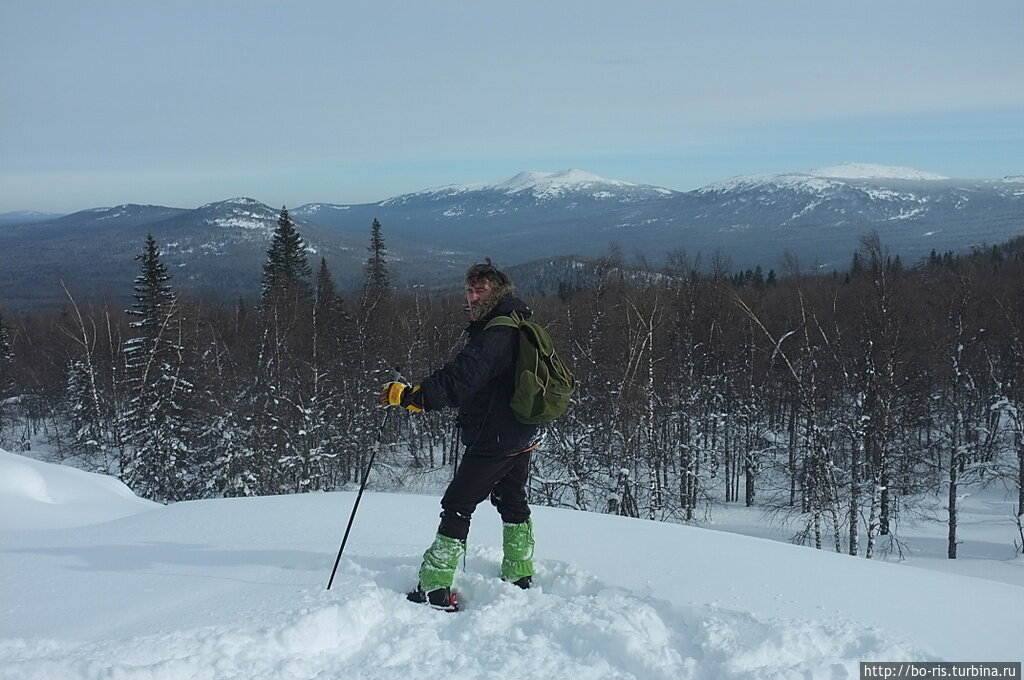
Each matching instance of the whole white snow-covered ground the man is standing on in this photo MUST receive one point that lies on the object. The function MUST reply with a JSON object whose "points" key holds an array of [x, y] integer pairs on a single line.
{"points": [[107, 586]]}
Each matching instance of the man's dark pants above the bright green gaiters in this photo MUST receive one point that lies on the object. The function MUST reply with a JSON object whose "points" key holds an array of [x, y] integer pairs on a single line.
{"points": [[502, 478]]}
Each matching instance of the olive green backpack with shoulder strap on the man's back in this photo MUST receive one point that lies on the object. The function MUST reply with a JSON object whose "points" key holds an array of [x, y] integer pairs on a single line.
{"points": [[544, 386]]}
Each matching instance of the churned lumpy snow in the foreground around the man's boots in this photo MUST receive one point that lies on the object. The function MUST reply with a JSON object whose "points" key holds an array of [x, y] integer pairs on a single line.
{"points": [[577, 629]]}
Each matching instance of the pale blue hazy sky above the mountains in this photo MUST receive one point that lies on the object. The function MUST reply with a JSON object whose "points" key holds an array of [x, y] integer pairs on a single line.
{"points": [[187, 103]]}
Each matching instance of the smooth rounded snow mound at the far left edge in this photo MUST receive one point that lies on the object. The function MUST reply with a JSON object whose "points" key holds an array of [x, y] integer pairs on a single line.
{"points": [[36, 496]]}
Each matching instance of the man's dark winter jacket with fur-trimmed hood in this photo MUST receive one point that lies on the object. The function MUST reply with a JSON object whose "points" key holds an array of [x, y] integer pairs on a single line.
{"points": [[480, 382]]}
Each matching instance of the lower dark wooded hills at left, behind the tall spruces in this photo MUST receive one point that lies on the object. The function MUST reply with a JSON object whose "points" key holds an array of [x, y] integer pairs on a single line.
{"points": [[218, 248]]}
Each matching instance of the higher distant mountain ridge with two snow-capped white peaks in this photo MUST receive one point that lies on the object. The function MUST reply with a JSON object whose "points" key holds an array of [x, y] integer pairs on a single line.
{"points": [[818, 217]]}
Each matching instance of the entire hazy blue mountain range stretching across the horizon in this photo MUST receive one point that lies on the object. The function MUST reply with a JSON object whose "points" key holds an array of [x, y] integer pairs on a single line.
{"points": [[817, 218]]}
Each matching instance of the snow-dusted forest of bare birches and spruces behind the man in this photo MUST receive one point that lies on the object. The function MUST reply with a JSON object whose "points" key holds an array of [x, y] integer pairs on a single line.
{"points": [[835, 402]]}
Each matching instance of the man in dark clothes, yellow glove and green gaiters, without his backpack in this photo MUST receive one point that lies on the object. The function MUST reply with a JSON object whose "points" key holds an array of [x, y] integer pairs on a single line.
{"points": [[480, 382]]}
